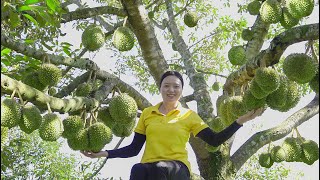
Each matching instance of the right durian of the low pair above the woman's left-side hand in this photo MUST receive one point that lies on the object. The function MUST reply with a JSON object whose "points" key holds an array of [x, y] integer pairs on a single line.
{"points": [[99, 135]]}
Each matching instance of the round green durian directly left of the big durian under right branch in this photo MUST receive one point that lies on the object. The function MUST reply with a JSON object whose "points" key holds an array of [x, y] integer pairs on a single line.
{"points": [[268, 79]]}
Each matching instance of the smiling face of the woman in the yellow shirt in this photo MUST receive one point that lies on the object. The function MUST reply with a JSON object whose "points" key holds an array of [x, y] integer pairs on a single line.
{"points": [[171, 89]]}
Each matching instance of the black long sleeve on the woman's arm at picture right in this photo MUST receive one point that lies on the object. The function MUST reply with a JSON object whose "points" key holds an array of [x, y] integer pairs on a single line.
{"points": [[215, 139]]}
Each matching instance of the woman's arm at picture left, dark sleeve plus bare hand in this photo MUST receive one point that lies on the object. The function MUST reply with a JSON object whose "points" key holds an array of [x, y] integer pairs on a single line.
{"points": [[128, 151]]}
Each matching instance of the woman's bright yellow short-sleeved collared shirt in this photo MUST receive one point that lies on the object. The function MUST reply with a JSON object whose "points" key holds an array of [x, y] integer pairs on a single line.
{"points": [[168, 135]]}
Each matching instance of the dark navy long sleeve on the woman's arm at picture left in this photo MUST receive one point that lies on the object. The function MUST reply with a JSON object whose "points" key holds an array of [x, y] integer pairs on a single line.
{"points": [[131, 150]]}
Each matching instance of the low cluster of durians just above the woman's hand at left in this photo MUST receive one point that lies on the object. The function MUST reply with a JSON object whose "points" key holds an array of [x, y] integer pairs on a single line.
{"points": [[91, 138]]}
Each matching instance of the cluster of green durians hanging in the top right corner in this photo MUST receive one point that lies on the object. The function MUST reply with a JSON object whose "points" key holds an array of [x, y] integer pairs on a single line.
{"points": [[288, 13]]}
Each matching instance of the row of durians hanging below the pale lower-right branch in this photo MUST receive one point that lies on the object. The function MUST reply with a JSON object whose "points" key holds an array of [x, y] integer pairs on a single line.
{"points": [[293, 149]]}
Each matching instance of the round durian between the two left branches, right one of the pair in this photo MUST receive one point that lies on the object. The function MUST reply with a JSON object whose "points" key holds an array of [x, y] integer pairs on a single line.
{"points": [[49, 74]]}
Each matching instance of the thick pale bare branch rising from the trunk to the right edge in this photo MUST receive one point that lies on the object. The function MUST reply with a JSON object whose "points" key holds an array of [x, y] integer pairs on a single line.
{"points": [[258, 140]]}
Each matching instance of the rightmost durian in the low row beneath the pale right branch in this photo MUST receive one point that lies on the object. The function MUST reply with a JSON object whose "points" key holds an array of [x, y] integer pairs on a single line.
{"points": [[310, 152]]}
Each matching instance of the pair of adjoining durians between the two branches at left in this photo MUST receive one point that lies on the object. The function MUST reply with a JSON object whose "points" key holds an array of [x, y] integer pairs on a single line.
{"points": [[47, 75]]}
